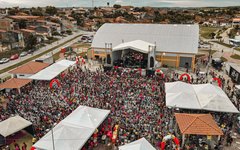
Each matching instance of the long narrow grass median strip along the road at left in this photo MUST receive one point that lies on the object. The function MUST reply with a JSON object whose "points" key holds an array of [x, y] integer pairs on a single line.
{"points": [[34, 57]]}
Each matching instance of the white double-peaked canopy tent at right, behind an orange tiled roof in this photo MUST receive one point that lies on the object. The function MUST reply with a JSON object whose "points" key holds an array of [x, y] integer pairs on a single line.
{"points": [[202, 96]]}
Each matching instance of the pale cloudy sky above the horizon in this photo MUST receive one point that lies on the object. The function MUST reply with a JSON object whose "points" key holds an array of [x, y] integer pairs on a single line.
{"points": [[139, 3]]}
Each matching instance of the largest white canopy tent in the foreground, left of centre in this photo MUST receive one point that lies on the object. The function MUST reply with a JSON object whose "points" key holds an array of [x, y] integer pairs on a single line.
{"points": [[74, 131]]}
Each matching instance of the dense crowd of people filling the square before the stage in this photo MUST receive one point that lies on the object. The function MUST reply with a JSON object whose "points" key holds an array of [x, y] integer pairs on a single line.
{"points": [[137, 104]]}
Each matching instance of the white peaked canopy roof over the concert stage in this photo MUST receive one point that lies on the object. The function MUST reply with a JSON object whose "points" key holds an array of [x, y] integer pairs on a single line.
{"points": [[137, 45]]}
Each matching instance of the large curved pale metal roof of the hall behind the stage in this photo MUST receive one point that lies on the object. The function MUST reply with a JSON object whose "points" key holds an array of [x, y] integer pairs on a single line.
{"points": [[168, 37]]}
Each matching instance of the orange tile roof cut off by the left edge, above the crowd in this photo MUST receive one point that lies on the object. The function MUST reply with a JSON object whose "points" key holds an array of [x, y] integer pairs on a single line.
{"points": [[14, 83]]}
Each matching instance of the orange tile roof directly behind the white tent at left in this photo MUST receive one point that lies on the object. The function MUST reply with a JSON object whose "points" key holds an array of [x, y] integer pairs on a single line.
{"points": [[29, 68]]}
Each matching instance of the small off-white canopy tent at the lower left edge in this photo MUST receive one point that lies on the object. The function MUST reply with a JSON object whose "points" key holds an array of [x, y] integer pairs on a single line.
{"points": [[13, 125]]}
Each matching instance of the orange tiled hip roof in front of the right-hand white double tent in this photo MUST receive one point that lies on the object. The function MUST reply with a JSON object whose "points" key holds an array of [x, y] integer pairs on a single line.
{"points": [[197, 124]]}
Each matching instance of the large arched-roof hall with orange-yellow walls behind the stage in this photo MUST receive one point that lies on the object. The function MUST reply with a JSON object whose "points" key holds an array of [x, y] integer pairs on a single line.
{"points": [[176, 45]]}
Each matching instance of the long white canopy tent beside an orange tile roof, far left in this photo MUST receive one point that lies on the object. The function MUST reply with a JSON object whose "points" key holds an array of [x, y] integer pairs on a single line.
{"points": [[52, 71]]}
